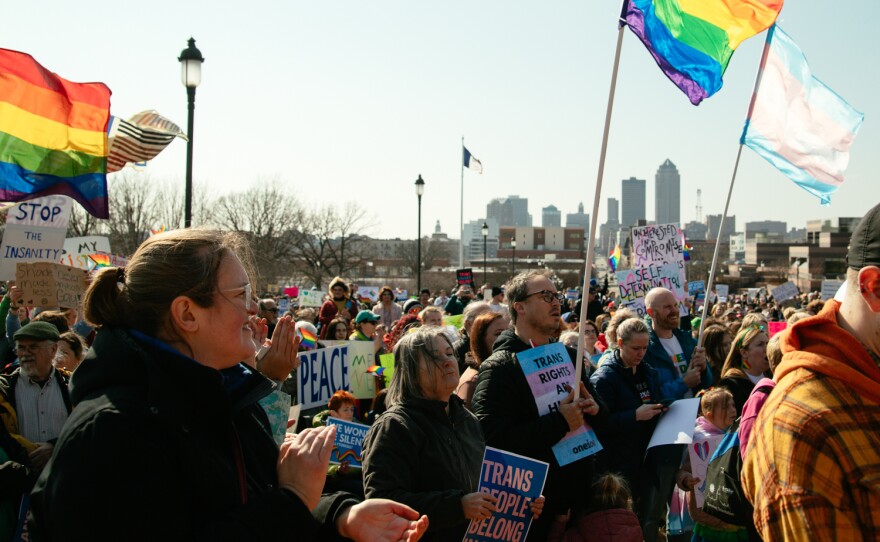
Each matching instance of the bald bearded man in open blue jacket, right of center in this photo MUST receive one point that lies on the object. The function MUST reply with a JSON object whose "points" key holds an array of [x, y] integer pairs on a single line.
{"points": [[681, 366]]}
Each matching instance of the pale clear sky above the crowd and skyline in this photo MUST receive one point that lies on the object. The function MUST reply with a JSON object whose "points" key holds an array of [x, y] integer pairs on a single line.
{"points": [[343, 100]]}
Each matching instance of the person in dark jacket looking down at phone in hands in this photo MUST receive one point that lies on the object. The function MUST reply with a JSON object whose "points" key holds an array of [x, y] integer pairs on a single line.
{"points": [[631, 389]]}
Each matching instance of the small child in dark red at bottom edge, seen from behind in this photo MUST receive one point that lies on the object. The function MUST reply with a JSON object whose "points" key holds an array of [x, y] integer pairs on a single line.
{"points": [[611, 517]]}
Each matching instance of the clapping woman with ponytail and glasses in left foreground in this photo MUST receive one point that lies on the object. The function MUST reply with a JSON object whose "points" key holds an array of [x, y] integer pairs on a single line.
{"points": [[167, 440]]}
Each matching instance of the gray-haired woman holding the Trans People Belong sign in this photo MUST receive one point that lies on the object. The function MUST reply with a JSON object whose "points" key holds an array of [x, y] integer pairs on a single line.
{"points": [[426, 450]]}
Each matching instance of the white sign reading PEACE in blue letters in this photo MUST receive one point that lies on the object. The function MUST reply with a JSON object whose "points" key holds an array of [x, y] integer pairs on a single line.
{"points": [[321, 373]]}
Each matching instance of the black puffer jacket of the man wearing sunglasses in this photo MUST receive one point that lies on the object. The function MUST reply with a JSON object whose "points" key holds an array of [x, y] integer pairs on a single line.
{"points": [[505, 405]]}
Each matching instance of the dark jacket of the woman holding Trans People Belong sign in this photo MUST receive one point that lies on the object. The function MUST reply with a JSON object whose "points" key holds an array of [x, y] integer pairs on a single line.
{"points": [[418, 455]]}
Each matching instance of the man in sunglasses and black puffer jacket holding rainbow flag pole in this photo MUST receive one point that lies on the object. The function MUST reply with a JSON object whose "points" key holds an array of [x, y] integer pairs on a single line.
{"points": [[505, 405]]}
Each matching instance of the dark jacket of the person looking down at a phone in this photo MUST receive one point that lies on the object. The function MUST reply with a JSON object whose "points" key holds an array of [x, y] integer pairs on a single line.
{"points": [[625, 440]]}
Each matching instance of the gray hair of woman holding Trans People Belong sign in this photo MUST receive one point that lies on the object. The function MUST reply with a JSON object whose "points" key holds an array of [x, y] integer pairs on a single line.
{"points": [[408, 352]]}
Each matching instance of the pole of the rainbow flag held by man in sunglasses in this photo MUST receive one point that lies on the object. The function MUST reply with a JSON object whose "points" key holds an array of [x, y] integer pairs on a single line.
{"points": [[591, 242]]}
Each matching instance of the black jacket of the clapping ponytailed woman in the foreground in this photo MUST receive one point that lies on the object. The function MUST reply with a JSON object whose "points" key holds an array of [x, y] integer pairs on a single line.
{"points": [[160, 447]]}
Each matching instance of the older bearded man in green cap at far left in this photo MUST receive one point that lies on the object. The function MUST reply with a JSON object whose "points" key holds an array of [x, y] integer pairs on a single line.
{"points": [[36, 393]]}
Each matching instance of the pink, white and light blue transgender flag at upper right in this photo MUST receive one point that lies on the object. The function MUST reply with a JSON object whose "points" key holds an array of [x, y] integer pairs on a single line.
{"points": [[797, 123]]}
